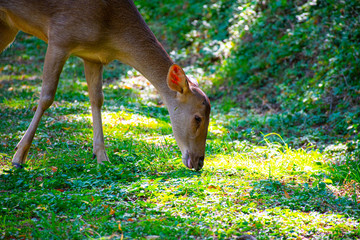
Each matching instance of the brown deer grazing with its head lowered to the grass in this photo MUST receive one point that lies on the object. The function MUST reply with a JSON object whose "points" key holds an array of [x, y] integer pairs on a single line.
{"points": [[98, 32]]}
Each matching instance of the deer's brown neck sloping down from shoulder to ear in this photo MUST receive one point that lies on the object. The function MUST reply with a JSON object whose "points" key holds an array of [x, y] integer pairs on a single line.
{"points": [[138, 47]]}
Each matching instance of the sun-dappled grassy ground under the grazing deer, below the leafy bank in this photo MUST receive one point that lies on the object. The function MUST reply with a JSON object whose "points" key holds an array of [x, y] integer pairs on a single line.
{"points": [[266, 188]]}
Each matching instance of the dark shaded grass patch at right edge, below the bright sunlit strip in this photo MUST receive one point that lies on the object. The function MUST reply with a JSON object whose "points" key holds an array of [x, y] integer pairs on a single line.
{"points": [[307, 198]]}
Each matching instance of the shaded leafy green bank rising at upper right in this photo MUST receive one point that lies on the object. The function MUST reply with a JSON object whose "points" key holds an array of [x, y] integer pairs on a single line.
{"points": [[298, 57]]}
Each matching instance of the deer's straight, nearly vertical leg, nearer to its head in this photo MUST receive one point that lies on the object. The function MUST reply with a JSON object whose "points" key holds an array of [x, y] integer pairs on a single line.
{"points": [[93, 74]]}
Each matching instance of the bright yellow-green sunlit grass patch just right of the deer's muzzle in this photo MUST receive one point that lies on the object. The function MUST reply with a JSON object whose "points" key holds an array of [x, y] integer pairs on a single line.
{"points": [[273, 160]]}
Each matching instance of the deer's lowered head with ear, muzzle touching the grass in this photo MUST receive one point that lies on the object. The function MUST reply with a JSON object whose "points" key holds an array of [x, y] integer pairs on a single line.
{"points": [[189, 114]]}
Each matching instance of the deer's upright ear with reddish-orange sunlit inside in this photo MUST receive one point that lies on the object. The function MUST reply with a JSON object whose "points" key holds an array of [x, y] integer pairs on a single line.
{"points": [[177, 80]]}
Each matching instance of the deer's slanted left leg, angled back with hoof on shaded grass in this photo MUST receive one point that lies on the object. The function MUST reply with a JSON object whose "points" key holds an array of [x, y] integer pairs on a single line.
{"points": [[54, 62]]}
